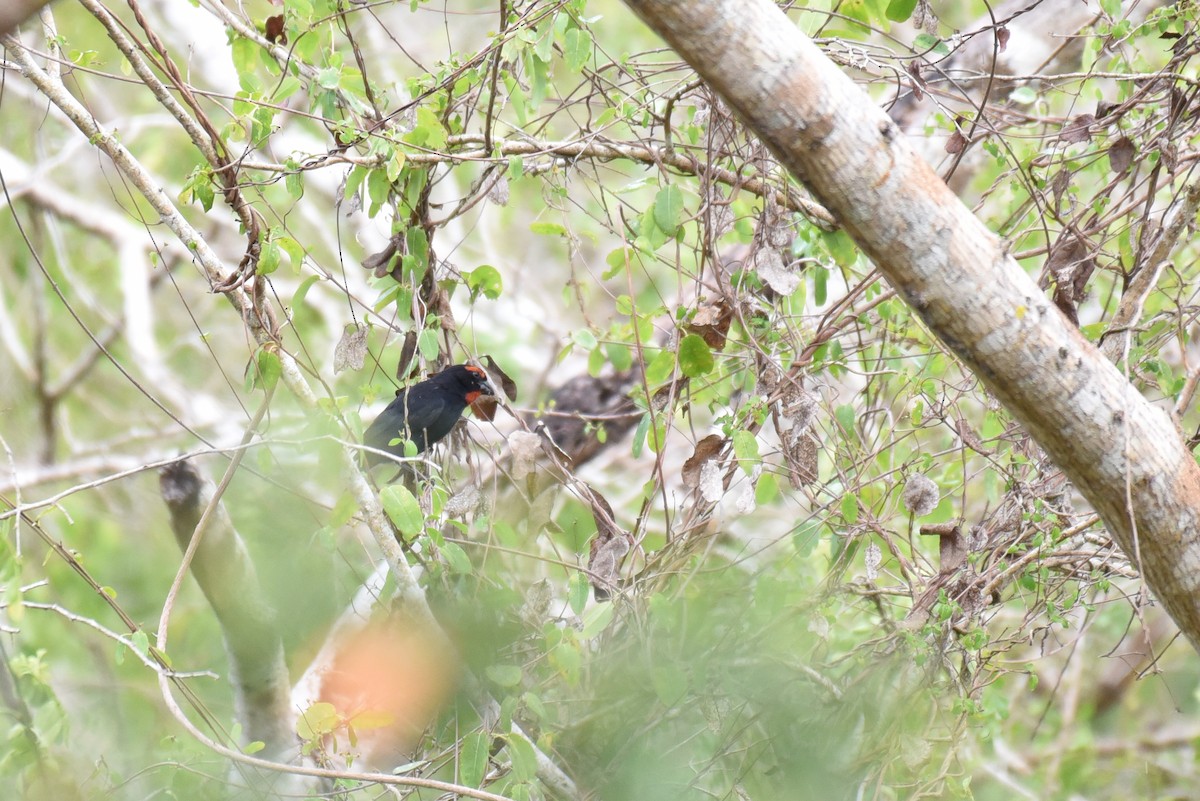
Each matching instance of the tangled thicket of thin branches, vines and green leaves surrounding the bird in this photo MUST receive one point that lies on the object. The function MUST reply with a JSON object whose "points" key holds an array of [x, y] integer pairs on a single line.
{"points": [[832, 561]]}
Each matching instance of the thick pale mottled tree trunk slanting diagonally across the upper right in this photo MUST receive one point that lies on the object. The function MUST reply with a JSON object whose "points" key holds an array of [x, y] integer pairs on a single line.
{"points": [[1125, 455]]}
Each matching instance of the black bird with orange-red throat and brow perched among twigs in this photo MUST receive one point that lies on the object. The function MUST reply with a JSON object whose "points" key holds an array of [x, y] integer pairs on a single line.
{"points": [[425, 413]]}
